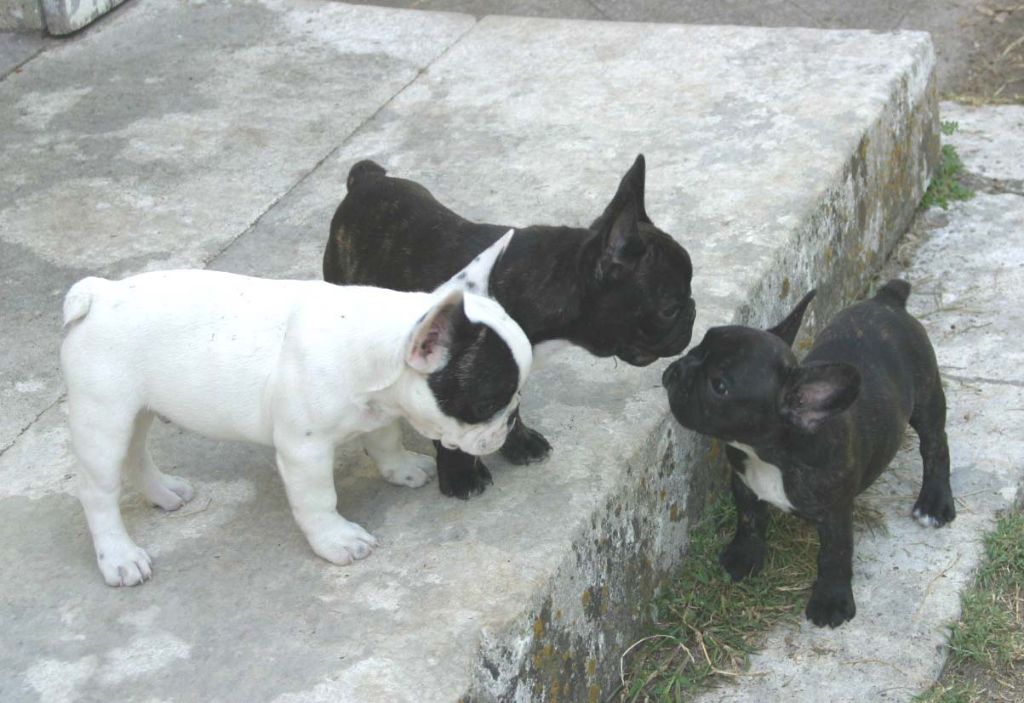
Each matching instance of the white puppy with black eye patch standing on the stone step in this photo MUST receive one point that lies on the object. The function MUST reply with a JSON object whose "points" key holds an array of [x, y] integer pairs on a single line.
{"points": [[300, 366]]}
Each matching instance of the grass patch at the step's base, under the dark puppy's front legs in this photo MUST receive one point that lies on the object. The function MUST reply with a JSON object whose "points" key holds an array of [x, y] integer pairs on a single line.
{"points": [[707, 627]]}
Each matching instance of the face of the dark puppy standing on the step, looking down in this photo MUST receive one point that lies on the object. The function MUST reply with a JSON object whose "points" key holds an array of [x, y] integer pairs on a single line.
{"points": [[647, 313]]}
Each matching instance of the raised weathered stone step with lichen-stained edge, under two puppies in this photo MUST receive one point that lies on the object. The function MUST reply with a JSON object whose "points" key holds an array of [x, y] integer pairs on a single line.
{"points": [[782, 159]]}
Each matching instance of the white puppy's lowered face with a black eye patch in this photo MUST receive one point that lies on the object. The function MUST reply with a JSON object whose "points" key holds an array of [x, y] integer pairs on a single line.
{"points": [[471, 403]]}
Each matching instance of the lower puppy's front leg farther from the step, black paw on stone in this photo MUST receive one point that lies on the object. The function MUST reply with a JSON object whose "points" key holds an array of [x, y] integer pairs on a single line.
{"points": [[832, 598]]}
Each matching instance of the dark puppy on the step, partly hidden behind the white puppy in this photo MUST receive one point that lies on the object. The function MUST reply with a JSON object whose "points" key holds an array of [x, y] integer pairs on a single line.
{"points": [[620, 288]]}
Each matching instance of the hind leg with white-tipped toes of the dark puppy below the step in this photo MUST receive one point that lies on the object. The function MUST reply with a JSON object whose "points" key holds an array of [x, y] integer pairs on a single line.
{"points": [[934, 507]]}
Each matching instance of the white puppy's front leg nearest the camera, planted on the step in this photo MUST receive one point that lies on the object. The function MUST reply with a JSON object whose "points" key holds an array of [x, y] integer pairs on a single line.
{"points": [[308, 470]]}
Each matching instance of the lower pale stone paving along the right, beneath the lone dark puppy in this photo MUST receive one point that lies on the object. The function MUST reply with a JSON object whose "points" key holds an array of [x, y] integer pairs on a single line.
{"points": [[968, 279]]}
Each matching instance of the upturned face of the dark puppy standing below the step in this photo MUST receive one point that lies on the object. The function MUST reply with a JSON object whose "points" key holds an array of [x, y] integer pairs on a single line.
{"points": [[731, 385]]}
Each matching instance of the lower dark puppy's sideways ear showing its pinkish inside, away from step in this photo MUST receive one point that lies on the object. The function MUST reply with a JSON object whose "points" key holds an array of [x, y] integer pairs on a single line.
{"points": [[817, 392]]}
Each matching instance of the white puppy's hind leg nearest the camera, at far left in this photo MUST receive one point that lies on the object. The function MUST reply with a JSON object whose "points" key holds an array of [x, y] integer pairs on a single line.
{"points": [[102, 437]]}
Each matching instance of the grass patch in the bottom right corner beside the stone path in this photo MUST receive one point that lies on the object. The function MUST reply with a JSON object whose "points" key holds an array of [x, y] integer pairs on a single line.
{"points": [[987, 646]]}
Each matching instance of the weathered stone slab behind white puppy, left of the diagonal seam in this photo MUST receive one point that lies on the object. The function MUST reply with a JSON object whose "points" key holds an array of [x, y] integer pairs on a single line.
{"points": [[156, 140]]}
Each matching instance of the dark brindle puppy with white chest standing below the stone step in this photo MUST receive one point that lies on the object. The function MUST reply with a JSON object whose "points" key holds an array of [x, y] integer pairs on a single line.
{"points": [[808, 437]]}
